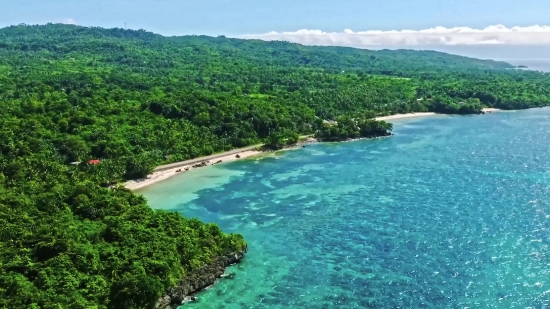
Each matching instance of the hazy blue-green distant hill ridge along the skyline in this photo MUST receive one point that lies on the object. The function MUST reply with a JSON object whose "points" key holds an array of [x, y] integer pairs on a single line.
{"points": [[61, 38]]}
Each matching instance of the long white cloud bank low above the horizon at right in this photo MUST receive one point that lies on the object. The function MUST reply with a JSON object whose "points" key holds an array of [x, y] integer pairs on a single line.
{"points": [[492, 35]]}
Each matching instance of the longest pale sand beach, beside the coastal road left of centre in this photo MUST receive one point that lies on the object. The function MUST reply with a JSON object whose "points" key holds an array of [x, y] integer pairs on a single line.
{"points": [[166, 171]]}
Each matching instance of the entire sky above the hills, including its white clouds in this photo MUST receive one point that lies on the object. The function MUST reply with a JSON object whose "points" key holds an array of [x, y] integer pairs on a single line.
{"points": [[467, 26]]}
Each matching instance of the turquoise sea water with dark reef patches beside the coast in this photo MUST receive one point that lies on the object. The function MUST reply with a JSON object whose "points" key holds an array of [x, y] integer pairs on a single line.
{"points": [[451, 212]]}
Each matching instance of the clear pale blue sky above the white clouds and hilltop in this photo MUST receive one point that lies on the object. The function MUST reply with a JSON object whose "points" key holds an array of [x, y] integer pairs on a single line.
{"points": [[236, 17]]}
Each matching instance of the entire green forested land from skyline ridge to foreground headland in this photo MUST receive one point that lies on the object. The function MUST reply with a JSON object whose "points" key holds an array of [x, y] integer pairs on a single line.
{"points": [[134, 100]]}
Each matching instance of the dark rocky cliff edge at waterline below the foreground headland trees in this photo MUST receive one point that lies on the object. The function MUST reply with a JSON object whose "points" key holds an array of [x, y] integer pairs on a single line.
{"points": [[198, 280]]}
